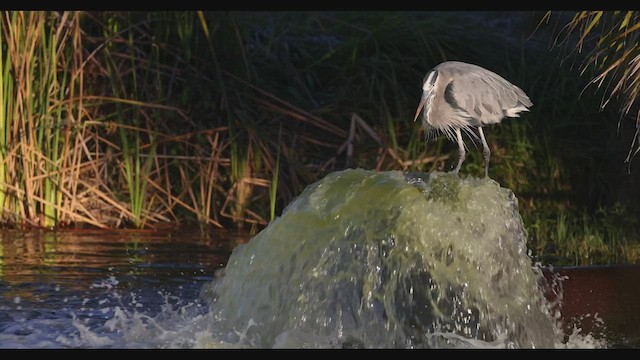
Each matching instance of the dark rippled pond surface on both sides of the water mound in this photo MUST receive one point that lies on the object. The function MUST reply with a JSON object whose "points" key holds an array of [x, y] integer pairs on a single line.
{"points": [[137, 289]]}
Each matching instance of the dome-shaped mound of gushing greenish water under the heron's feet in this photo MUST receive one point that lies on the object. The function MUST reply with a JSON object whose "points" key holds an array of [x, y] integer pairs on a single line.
{"points": [[366, 259]]}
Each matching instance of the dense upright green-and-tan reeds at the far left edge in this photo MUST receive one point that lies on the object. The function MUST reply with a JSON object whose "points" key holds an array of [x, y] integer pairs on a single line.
{"points": [[41, 84]]}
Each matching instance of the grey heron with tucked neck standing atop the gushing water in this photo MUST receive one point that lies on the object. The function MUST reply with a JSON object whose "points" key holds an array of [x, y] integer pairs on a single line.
{"points": [[457, 95]]}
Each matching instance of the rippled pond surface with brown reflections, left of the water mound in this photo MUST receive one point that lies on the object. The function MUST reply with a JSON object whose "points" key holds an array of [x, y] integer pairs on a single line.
{"points": [[89, 288]]}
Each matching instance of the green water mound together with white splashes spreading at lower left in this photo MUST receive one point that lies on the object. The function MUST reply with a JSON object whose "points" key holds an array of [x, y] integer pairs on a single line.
{"points": [[360, 259]]}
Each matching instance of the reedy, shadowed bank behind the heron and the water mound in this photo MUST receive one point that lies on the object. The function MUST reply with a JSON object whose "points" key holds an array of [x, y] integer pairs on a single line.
{"points": [[133, 119]]}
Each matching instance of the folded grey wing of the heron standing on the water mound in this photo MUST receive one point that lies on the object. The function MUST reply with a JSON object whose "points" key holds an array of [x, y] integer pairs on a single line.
{"points": [[487, 96]]}
